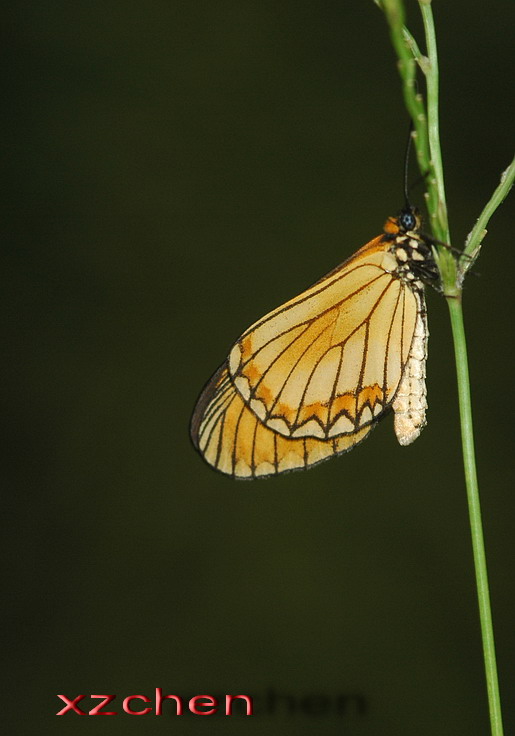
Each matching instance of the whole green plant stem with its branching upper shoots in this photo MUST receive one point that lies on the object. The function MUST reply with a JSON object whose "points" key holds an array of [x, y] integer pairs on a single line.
{"points": [[427, 143]]}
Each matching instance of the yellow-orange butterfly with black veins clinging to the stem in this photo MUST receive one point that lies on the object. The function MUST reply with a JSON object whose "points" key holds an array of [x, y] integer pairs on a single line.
{"points": [[312, 378]]}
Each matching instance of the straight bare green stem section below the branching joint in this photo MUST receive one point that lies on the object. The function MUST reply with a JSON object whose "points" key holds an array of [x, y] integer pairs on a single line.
{"points": [[469, 463]]}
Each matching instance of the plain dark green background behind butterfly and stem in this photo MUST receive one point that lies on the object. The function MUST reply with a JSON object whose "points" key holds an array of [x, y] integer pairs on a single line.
{"points": [[176, 170]]}
